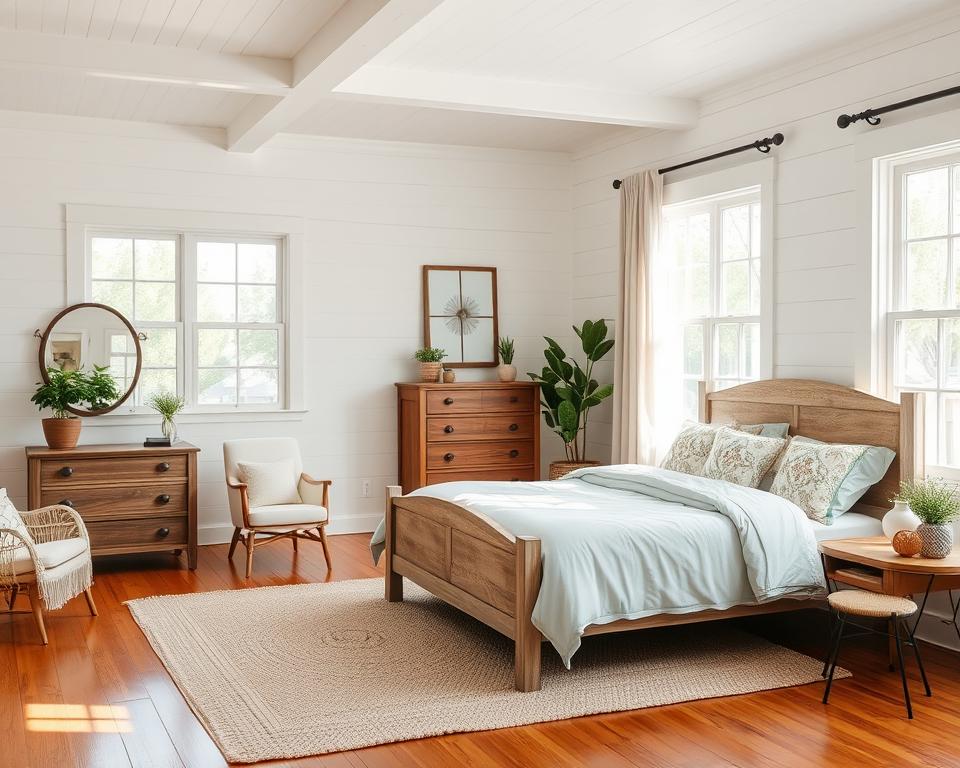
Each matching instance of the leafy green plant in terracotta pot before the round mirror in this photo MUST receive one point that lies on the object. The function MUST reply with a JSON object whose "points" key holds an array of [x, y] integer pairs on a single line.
{"points": [[66, 389]]}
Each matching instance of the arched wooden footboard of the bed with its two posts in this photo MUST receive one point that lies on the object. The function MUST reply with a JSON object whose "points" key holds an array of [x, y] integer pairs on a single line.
{"points": [[470, 562]]}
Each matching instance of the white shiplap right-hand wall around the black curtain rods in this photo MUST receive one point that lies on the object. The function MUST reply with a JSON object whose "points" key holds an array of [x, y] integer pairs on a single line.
{"points": [[821, 283]]}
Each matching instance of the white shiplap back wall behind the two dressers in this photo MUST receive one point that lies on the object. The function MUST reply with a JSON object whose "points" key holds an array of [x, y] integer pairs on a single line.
{"points": [[373, 214]]}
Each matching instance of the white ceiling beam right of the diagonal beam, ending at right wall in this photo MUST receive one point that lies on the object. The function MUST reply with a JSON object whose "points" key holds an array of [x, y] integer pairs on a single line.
{"points": [[473, 93]]}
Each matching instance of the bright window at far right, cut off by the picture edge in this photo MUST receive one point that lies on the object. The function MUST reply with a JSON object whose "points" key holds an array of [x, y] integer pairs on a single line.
{"points": [[923, 324]]}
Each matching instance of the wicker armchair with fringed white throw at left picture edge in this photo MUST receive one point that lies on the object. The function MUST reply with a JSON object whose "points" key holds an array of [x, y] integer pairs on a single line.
{"points": [[44, 554]]}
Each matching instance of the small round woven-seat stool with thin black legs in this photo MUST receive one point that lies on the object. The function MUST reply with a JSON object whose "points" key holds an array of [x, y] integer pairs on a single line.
{"points": [[851, 603]]}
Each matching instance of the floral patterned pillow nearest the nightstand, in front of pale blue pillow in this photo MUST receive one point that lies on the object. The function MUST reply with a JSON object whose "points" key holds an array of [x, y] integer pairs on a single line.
{"points": [[811, 475]]}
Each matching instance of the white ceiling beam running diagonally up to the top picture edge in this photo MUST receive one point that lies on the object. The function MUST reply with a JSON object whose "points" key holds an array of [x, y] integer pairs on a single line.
{"points": [[353, 36]]}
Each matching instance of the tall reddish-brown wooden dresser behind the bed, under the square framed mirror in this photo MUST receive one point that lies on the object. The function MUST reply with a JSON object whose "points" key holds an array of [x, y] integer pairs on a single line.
{"points": [[469, 431]]}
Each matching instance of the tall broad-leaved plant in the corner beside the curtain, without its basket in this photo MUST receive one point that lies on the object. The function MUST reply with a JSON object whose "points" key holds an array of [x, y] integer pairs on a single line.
{"points": [[568, 391]]}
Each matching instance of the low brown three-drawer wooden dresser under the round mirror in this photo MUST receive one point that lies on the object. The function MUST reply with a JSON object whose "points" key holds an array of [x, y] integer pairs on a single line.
{"points": [[132, 499]]}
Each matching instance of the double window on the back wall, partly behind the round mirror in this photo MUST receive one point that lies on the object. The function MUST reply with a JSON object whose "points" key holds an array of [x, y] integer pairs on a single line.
{"points": [[210, 308]]}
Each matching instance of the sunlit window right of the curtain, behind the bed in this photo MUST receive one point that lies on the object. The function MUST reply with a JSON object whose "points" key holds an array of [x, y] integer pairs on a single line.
{"points": [[712, 248]]}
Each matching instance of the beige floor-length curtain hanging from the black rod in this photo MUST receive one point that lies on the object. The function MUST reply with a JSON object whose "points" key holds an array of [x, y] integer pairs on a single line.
{"points": [[639, 404]]}
